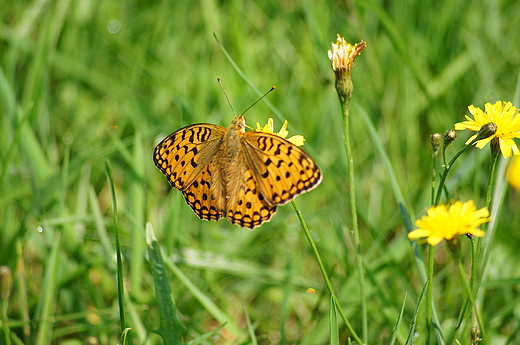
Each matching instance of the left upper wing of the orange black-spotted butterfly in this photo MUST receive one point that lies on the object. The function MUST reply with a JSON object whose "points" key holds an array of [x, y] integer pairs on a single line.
{"points": [[184, 154]]}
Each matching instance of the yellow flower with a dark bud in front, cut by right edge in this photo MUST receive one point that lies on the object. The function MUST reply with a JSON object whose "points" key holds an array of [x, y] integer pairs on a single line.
{"points": [[505, 116]]}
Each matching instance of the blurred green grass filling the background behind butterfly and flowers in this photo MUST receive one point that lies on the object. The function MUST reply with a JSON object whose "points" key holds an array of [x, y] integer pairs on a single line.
{"points": [[74, 96]]}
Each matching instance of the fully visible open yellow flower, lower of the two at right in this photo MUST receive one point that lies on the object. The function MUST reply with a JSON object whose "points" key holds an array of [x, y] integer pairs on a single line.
{"points": [[448, 221]]}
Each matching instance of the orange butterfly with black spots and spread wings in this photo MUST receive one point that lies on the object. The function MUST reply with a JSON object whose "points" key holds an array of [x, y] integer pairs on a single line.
{"points": [[234, 173]]}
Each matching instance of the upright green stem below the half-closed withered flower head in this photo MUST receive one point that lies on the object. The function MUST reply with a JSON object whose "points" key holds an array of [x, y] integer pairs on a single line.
{"points": [[355, 225]]}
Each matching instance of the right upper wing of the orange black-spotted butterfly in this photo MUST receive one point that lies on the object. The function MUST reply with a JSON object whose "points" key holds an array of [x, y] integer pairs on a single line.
{"points": [[281, 169]]}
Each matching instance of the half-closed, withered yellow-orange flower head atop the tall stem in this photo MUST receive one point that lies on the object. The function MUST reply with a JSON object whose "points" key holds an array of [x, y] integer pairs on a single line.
{"points": [[342, 57]]}
